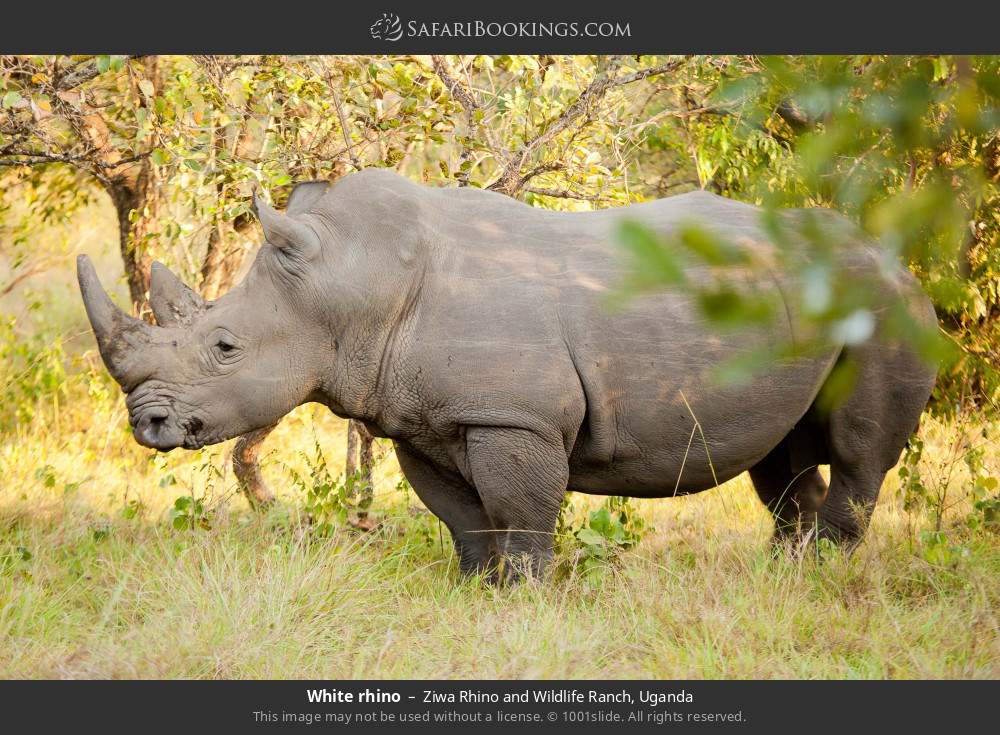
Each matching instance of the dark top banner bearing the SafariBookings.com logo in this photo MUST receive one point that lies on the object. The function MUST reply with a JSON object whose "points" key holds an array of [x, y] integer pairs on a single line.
{"points": [[395, 27]]}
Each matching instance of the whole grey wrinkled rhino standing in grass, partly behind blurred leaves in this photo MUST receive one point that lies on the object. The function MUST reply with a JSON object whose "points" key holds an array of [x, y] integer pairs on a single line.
{"points": [[473, 331]]}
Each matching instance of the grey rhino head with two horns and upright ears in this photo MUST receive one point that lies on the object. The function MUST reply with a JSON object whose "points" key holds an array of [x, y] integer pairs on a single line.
{"points": [[210, 371]]}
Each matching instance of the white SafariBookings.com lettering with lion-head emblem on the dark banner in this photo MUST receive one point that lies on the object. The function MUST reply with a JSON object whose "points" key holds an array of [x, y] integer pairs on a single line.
{"points": [[390, 28]]}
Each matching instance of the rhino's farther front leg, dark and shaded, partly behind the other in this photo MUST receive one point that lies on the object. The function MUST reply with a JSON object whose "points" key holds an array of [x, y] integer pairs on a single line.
{"points": [[448, 496]]}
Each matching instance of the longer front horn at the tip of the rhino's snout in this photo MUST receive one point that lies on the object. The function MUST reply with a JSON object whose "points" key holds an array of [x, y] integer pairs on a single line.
{"points": [[119, 336]]}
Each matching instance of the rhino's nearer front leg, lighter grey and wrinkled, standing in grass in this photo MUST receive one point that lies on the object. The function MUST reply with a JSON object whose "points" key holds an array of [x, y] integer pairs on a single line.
{"points": [[521, 477]]}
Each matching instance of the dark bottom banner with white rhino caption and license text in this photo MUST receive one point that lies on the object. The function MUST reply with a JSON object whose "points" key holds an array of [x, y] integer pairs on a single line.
{"points": [[391, 706]]}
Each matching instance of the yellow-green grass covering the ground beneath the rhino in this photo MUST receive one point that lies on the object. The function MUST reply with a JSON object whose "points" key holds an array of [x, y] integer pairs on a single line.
{"points": [[96, 582]]}
